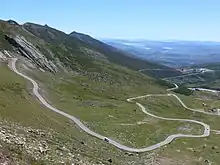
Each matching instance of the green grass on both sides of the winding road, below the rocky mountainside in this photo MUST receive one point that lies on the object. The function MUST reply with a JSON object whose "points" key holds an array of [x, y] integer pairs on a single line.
{"points": [[103, 108]]}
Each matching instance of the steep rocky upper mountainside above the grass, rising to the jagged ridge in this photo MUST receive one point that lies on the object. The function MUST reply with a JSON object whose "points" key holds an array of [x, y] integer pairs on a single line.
{"points": [[75, 51]]}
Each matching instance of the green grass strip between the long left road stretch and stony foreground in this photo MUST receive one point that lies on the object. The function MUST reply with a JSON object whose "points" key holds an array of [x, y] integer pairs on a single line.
{"points": [[18, 106]]}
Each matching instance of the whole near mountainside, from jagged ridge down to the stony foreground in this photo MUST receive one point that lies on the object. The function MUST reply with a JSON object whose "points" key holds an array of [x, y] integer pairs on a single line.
{"points": [[64, 100]]}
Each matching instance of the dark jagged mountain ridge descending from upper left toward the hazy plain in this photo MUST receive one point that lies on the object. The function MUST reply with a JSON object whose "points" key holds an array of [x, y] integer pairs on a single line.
{"points": [[74, 46]]}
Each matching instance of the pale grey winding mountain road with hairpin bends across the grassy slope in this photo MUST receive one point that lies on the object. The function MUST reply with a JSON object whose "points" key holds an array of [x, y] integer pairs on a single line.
{"points": [[12, 65]]}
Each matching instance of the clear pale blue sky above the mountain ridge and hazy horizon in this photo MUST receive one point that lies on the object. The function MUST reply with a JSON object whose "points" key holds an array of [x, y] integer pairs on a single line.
{"points": [[129, 19]]}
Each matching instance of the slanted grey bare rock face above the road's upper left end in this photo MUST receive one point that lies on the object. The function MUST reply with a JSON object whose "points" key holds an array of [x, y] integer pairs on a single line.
{"points": [[28, 50]]}
